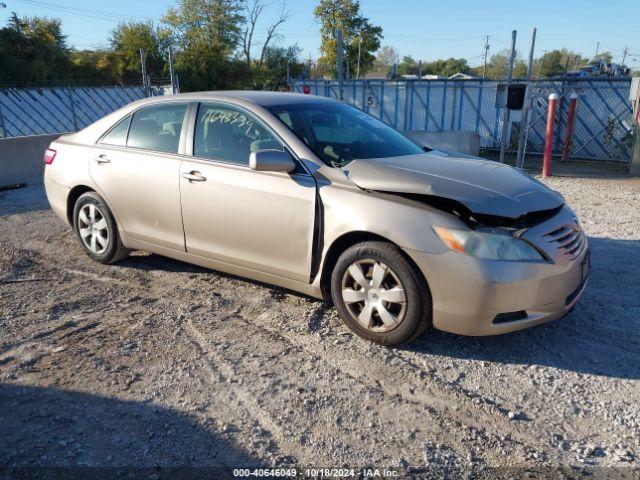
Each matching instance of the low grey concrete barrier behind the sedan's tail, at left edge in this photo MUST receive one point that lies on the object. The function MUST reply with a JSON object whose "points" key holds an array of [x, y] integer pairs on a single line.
{"points": [[21, 158]]}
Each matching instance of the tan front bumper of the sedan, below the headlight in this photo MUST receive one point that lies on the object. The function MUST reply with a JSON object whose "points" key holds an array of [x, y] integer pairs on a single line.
{"points": [[477, 297]]}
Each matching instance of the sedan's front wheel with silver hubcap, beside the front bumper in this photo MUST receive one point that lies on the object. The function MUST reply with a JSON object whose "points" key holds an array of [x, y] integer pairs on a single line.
{"points": [[379, 294]]}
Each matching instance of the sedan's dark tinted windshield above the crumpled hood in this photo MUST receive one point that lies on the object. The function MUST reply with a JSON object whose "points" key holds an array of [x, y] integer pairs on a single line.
{"points": [[339, 133]]}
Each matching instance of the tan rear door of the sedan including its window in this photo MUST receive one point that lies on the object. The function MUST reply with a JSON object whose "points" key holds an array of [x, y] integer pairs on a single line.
{"points": [[136, 165]]}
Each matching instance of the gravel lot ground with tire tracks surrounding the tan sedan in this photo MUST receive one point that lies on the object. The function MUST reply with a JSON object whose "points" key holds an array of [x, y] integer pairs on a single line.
{"points": [[155, 363]]}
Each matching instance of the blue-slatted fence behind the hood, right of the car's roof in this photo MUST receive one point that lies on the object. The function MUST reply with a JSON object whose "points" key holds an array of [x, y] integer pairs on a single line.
{"points": [[603, 128]]}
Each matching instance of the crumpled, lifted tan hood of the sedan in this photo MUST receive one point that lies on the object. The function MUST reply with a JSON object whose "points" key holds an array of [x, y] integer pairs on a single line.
{"points": [[484, 187]]}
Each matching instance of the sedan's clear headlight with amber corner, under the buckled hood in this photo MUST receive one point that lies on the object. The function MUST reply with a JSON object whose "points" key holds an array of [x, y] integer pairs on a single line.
{"points": [[490, 244]]}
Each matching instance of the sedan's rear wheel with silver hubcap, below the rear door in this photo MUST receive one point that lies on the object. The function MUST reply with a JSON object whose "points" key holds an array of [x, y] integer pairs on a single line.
{"points": [[95, 227]]}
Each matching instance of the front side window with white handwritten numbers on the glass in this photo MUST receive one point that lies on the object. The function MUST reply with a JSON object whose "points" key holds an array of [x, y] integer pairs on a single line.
{"points": [[229, 135]]}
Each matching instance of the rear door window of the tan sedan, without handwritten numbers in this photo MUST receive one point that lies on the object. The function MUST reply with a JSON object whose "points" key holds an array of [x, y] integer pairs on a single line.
{"points": [[157, 127]]}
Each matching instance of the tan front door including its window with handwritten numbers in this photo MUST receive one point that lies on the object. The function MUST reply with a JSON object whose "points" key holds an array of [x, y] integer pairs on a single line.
{"points": [[259, 220]]}
